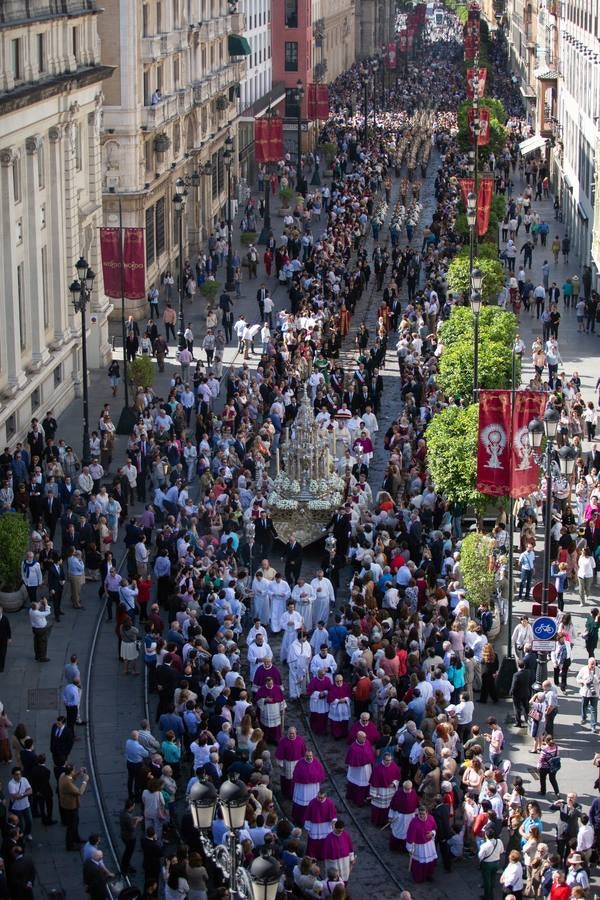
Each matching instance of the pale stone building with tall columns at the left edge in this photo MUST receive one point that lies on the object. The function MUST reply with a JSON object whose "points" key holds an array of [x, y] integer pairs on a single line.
{"points": [[50, 203]]}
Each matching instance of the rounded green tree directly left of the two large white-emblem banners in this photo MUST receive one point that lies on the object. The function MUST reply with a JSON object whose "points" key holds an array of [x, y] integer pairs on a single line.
{"points": [[452, 455]]}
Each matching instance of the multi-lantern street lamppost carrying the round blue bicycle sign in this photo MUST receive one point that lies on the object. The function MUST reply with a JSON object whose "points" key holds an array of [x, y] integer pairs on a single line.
{"points": [[566, 459]]}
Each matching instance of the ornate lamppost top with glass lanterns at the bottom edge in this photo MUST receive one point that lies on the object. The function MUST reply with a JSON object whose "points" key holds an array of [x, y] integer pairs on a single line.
{"points": [[232, 798]]}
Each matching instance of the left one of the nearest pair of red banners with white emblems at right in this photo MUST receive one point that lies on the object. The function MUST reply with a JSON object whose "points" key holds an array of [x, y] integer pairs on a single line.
{"points": [[493, 443]]}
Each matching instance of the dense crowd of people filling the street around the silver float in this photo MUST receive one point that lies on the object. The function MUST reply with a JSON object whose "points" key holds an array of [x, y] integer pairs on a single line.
{"points": [[233, 643]]}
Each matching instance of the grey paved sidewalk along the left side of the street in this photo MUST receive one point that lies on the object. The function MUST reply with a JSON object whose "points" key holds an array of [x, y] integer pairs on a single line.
{"points": [[31, 691]]}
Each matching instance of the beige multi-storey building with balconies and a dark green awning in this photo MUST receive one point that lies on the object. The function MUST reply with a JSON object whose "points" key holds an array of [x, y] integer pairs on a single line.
{"points": [[168, 110]]}
